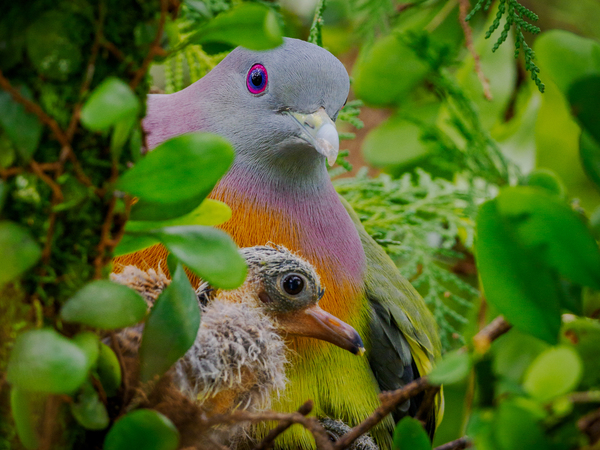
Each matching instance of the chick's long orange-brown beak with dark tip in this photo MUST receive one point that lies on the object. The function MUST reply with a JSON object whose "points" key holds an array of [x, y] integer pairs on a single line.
{"points": [[316, 323]]}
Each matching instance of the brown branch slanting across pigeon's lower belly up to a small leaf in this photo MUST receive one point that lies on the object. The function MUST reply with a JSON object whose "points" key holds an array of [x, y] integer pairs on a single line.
{"points": [[389, 402]]}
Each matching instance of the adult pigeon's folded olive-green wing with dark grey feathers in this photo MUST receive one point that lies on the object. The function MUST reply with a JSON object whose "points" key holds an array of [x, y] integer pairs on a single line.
{"points": [[403, 330]]}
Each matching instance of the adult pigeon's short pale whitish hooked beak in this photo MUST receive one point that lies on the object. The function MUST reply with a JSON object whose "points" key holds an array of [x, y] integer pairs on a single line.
{"points": [[319, 130]]}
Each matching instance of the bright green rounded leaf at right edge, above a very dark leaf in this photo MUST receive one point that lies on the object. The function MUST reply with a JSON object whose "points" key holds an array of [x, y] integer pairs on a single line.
{"points": [[567, 57]]}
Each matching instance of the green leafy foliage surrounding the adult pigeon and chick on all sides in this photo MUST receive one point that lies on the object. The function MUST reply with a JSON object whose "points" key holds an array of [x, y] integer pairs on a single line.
{"points": [[488, 206]]}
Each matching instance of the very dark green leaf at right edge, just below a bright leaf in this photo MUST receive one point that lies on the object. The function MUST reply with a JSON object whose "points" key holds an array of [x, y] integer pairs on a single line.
{"points": [[583, 96]]}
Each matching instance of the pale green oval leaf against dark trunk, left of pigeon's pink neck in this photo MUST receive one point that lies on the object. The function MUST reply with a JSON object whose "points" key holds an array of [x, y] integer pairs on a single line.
{"points": [[110, 103]]}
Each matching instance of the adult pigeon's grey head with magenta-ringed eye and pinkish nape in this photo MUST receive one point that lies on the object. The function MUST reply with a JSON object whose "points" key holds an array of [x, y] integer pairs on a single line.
{"points": [[276, 107]]}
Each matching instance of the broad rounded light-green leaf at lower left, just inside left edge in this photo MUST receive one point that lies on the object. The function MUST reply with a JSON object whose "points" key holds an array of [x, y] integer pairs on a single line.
{"points": [[44, 361]]}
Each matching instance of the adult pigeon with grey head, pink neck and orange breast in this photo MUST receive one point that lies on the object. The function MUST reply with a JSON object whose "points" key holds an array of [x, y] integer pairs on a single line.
{"points": [[278, 108]]}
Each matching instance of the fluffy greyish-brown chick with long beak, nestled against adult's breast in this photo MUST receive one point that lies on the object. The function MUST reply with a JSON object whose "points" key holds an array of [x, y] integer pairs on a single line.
{"points": [[239, 356]]}
